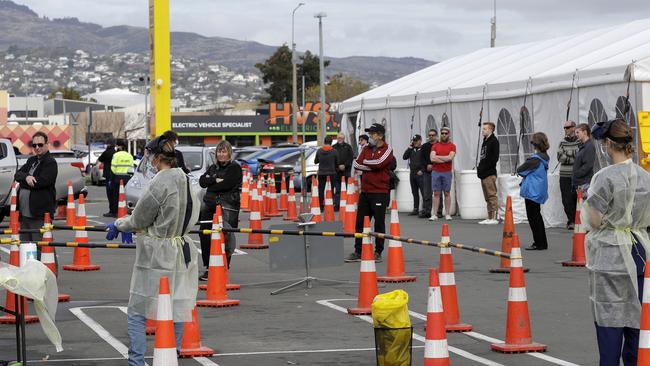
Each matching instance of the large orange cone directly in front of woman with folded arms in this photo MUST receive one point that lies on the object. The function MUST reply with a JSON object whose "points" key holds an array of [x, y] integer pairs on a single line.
{"points": [[216, 293]]}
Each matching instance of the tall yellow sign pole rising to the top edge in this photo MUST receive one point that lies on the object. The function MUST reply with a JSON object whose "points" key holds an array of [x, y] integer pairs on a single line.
{"points": [[159, 66]]}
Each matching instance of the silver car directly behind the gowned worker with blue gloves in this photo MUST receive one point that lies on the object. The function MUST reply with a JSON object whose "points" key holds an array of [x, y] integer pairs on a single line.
{"points": [[197, 159]]}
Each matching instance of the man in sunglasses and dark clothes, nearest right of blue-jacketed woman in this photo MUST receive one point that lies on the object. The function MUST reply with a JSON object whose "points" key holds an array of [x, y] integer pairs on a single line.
{"points": [[566, 155]]}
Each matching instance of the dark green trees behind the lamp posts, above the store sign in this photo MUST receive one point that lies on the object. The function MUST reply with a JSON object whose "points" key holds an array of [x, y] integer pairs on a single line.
{"points": [[276, 72]]}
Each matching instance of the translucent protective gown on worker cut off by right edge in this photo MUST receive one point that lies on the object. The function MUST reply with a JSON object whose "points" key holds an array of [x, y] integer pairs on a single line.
{"points": [[619, 196]]}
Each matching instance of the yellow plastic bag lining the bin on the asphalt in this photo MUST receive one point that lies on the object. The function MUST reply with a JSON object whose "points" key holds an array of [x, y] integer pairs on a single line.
{"points": [[390, 310]]}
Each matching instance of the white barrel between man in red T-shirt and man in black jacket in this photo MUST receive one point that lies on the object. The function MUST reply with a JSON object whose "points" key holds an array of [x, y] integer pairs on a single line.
{"points": [[471, 202]]}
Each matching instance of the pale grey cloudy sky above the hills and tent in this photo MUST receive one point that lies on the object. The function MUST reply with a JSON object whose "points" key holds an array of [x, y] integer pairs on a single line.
{"points": [[434, 30]]}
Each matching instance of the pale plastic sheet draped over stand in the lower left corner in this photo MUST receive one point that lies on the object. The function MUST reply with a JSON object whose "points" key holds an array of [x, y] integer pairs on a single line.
{"points": [[37, 282]]}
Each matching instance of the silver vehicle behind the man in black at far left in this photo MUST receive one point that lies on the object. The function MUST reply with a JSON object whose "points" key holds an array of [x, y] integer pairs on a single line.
{"points": [[70, 168]]}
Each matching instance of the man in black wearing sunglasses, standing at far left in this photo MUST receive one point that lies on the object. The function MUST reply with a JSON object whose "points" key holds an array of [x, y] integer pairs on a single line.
{"points": [[37, 191]]}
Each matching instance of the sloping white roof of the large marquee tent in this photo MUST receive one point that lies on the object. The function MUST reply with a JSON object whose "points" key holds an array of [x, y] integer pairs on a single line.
{"points": [[596, 57]]}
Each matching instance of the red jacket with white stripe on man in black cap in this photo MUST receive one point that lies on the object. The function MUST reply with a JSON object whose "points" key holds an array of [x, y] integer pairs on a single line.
{"points": [[375, 163]]}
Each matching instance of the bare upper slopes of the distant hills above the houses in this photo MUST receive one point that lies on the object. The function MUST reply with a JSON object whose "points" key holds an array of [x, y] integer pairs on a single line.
{"points": [[20, 26]]}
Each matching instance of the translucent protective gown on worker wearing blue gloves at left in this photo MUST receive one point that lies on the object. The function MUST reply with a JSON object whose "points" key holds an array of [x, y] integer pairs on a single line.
{"points": [[158, 221]]}
